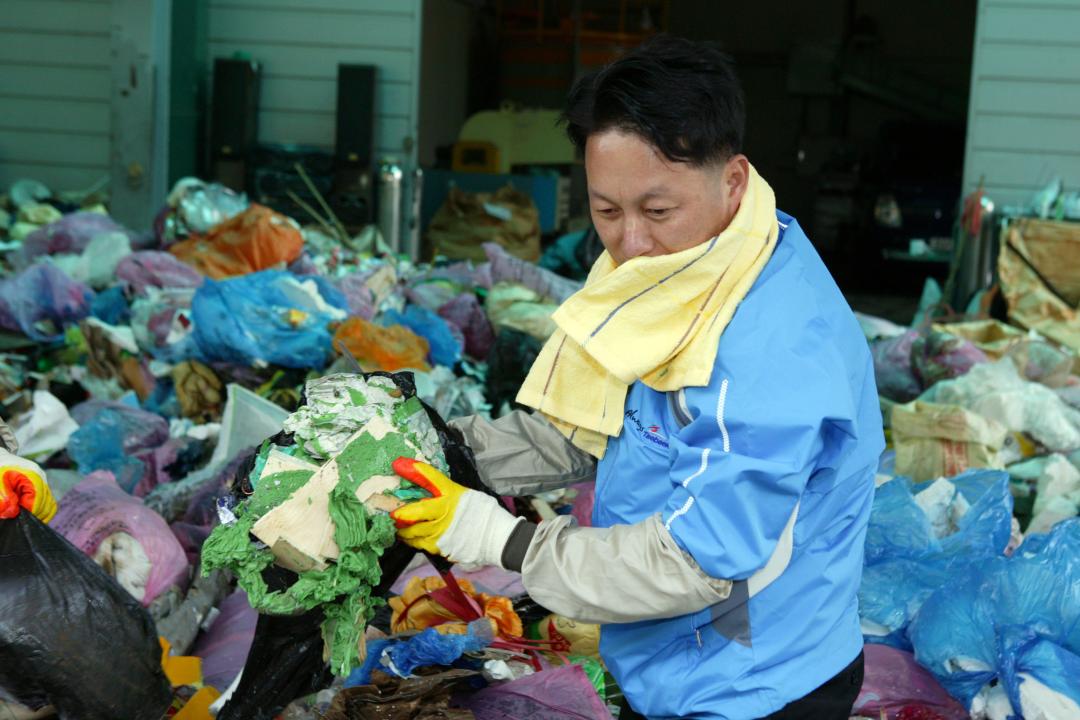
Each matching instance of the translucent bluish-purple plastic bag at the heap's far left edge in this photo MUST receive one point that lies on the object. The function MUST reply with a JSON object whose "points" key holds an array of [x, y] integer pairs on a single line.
{"points": [[42, 302]]}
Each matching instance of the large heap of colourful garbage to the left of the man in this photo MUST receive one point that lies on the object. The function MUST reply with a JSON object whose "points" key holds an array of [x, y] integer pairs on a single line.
{"points": [[215, 403]]}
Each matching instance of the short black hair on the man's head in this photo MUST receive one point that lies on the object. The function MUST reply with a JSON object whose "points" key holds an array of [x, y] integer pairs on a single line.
{"points": [[681, 97]]}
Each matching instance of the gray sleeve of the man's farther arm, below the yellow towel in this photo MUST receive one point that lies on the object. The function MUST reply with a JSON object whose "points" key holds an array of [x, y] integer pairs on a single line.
{"points": [[522, 454]]}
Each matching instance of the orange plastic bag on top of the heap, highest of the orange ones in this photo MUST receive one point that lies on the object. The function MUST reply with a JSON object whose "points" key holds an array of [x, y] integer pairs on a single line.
{"points": [[258, 239]]}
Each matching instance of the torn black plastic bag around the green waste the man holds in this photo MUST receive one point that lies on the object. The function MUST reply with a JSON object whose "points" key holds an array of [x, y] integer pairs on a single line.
{"points": [[286, 661]]}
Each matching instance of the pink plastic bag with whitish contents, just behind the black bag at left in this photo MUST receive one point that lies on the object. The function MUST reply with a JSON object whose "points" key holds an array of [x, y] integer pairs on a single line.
{"points": [[98, 509]]}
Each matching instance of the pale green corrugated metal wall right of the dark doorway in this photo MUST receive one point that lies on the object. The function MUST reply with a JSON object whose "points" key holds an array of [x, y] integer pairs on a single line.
{"points": [[1024, 116]]}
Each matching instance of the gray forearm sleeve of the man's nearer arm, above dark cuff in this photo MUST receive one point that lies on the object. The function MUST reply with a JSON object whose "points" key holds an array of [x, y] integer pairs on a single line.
{"points": [[619, 575]]}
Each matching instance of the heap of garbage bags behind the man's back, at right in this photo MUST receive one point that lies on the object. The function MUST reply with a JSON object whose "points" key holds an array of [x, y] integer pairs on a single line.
{"points": [[970, 602]]}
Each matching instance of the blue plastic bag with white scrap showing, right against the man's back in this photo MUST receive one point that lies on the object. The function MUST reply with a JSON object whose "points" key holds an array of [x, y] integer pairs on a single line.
{"points": [[906, 563]]}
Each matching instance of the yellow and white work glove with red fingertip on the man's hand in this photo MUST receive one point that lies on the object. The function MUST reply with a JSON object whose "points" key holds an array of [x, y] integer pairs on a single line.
{"points": [[462, 525]]}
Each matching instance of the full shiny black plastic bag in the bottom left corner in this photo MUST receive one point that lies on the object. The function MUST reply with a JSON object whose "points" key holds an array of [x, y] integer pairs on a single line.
{"points": [[71, 636]]}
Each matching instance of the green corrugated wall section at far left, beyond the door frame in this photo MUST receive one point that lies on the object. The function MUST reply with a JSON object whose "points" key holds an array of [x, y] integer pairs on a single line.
{"points": [[55, 91]]}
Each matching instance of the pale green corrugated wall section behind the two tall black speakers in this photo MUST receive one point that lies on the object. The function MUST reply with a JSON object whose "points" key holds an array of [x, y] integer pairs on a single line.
{"points": [[301, 44]]}
